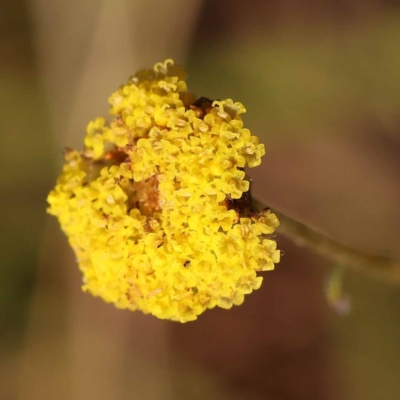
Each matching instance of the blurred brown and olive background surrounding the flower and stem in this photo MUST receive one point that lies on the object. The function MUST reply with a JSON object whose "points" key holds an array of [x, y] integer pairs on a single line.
{"points": [[321, 83]]}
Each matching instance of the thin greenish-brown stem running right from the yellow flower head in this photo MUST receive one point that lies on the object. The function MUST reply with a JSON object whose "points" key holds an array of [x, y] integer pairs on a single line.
{"points": [[379, 266]]}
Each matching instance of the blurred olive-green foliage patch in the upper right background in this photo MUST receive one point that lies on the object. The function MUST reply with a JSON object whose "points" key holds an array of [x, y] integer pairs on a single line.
{"points": [[305, 81]]}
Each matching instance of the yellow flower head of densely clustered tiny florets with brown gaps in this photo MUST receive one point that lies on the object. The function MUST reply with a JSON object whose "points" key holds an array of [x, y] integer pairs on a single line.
{"points": [[157, 206]]}
